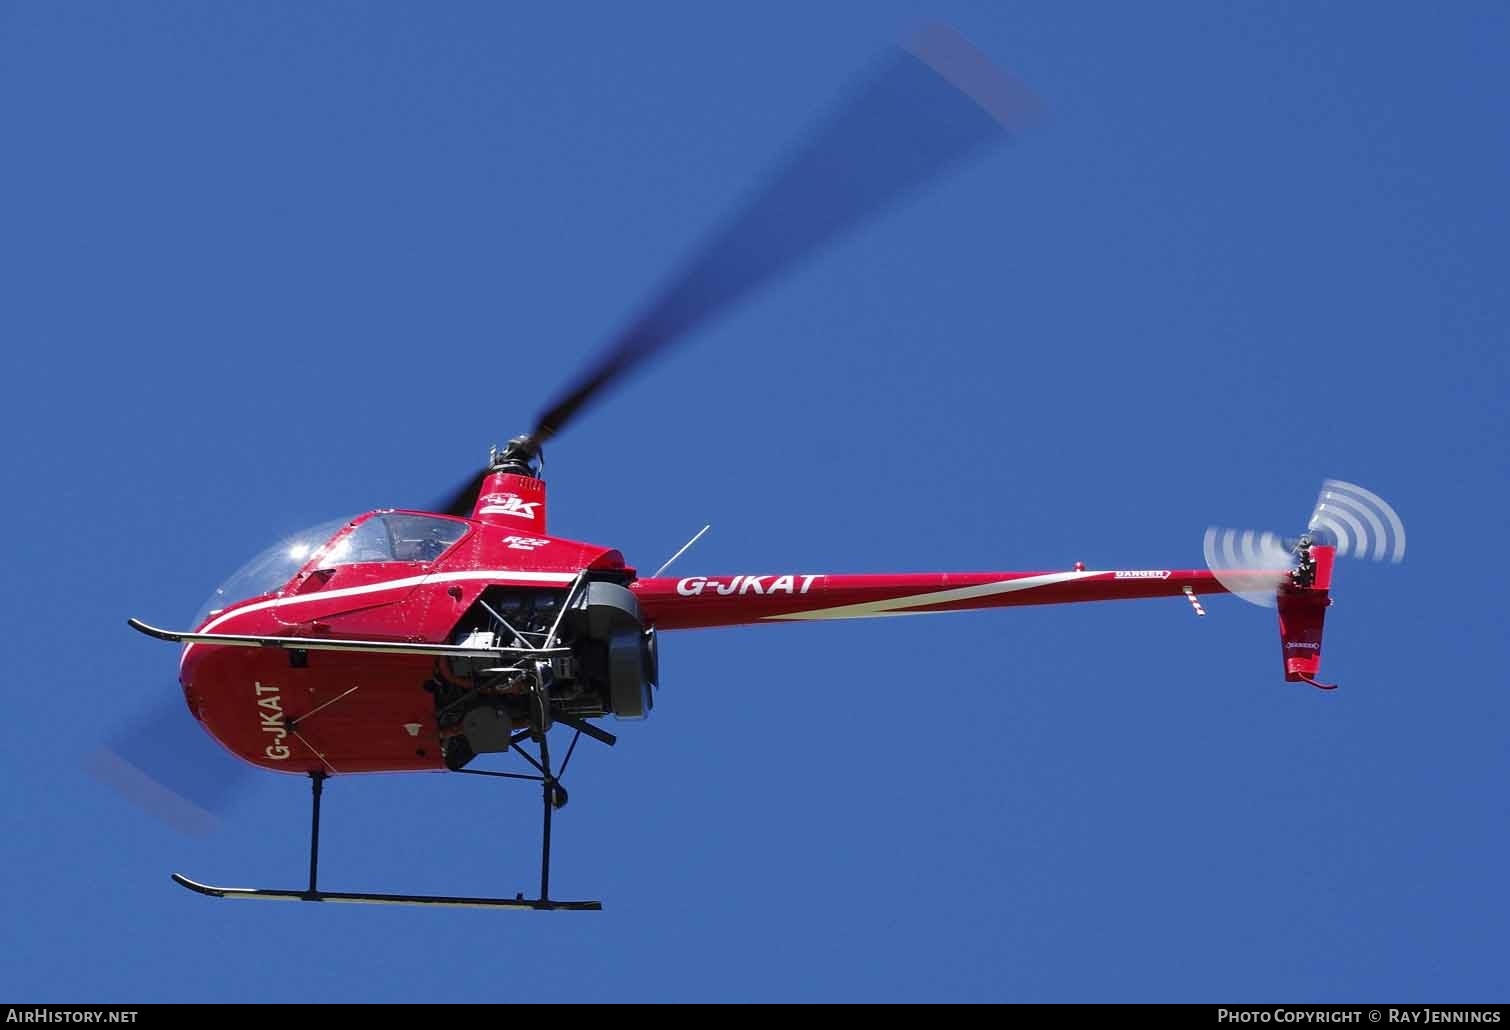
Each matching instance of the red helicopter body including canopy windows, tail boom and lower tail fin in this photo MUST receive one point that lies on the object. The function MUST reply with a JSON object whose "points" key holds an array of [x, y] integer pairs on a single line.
{"points": [[418, 579]]}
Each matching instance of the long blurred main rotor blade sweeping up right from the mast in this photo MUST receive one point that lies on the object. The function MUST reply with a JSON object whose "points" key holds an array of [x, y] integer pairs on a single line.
{"points": [[922, 111]]}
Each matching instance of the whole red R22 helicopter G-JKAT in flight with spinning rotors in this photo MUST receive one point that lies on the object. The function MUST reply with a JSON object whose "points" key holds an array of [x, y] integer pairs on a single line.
{"points": [[418, 641]]}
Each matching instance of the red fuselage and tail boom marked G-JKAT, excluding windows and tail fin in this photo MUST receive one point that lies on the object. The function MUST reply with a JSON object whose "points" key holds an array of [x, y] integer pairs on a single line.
{"points": [[362, 712]]}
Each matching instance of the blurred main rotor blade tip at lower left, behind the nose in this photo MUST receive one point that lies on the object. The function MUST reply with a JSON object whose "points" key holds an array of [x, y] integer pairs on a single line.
{"points": [[168, 766]]}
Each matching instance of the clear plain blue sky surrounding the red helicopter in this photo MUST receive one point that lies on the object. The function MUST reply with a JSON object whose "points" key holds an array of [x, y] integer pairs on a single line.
{"points": [[268, 265]]}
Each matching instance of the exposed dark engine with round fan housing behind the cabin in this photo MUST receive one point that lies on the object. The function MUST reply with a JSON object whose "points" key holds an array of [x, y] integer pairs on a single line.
{"points": [[612, 667]]}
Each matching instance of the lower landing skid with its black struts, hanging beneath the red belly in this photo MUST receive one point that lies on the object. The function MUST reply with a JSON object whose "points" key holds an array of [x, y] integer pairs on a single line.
{"points": [[553, 794]]}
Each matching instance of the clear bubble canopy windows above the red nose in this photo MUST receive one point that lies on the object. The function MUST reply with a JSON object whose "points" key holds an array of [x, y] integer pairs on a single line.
{"points": [[375, 537]]}
